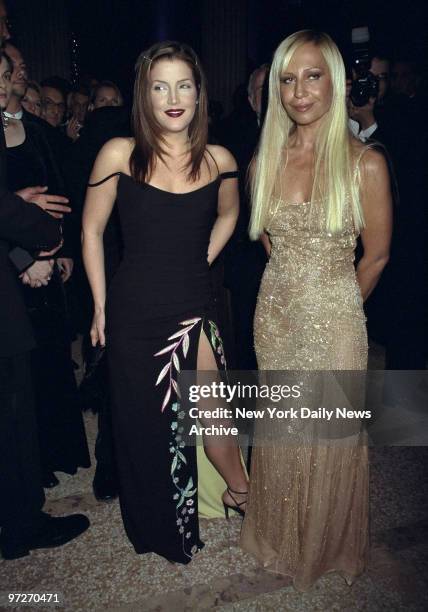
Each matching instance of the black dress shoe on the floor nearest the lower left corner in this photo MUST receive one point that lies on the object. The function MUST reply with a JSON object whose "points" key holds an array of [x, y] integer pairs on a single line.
{"points": [[50, 532]]}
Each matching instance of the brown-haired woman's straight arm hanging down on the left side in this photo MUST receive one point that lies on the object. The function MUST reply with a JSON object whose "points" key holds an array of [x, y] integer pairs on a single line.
{"points": [[98, 206]]}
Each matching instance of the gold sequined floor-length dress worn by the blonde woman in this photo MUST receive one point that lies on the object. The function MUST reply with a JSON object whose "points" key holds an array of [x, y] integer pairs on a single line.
{"points": [[307, 511]]}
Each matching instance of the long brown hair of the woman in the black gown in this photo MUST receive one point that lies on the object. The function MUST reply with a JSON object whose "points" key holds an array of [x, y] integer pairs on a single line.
{"points": [[147, 132]]}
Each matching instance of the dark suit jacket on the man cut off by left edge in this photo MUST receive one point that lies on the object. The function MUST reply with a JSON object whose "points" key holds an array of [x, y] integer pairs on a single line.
{"points": [[29, 226]]}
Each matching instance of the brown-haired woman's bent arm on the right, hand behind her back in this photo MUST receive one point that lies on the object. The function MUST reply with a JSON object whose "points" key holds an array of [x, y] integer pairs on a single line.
{"points": [[228, 205]]}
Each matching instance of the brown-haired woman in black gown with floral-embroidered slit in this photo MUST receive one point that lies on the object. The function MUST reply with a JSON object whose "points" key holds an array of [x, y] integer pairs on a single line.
{"points": [[178, 204]]}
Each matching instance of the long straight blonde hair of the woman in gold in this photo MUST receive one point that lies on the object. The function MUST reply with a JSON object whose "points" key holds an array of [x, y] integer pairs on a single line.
{"points": [[335, 178]]}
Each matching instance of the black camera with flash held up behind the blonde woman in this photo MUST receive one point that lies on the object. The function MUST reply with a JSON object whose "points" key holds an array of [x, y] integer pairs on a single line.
{"points": [[365, 85]]}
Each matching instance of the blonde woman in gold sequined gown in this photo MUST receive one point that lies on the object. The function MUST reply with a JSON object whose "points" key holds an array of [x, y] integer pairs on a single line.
{"points": [[314, 189]]}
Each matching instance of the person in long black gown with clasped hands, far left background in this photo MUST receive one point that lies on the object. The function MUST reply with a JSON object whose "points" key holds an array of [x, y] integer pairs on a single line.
{"points": [[62, 437]]}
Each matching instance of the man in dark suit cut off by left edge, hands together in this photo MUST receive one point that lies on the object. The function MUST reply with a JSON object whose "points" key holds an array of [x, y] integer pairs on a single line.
{"points": [[24, 525]]}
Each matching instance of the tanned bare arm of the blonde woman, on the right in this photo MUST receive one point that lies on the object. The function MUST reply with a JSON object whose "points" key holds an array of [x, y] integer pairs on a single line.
{"points": [[377, 208]]}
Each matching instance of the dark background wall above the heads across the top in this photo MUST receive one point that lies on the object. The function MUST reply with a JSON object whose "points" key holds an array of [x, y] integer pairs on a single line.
{"points": [[231, 36]]}
